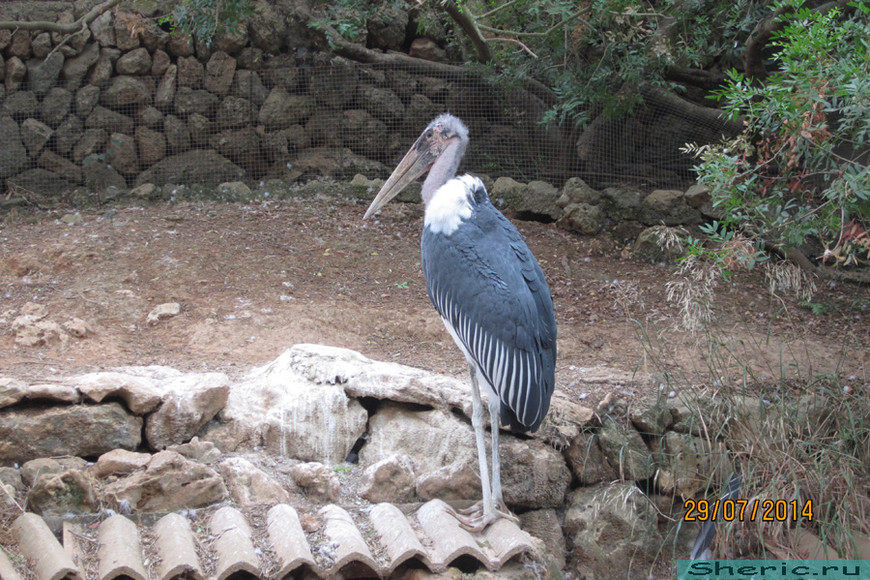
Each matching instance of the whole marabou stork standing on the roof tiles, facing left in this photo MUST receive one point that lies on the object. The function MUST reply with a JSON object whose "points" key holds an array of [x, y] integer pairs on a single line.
{"points": [[490, 292]]}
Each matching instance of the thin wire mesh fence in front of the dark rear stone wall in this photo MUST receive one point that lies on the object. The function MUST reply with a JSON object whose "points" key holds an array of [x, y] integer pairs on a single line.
{"points": [[119, 110]]}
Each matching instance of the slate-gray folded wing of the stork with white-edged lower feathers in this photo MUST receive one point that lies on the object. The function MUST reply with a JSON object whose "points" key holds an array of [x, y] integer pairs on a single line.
{"points": [[485, 282]]}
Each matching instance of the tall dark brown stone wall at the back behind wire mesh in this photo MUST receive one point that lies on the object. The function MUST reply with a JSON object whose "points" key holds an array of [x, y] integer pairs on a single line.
{"points": [[128, 103]]}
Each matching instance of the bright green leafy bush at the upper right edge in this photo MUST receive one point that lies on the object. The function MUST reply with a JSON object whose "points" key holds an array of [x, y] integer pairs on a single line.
{"points": [[799, 171]]}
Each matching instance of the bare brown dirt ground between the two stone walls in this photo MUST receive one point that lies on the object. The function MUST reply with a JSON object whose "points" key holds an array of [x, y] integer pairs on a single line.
{"points": [[254, 279]]}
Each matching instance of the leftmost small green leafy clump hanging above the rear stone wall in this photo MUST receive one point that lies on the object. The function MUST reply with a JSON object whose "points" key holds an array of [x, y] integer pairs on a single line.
{"points": [[206, 18]]}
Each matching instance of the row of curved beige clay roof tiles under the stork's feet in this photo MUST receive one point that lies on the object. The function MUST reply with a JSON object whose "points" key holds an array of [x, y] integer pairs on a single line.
{"points": [[375, 541]]}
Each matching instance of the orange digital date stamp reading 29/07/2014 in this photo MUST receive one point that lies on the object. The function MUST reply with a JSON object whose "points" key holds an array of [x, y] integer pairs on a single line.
{"points": [[744, 510]]}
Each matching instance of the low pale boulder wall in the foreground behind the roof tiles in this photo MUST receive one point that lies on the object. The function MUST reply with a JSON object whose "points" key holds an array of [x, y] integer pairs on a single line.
{"points": [[324, 424]]}
